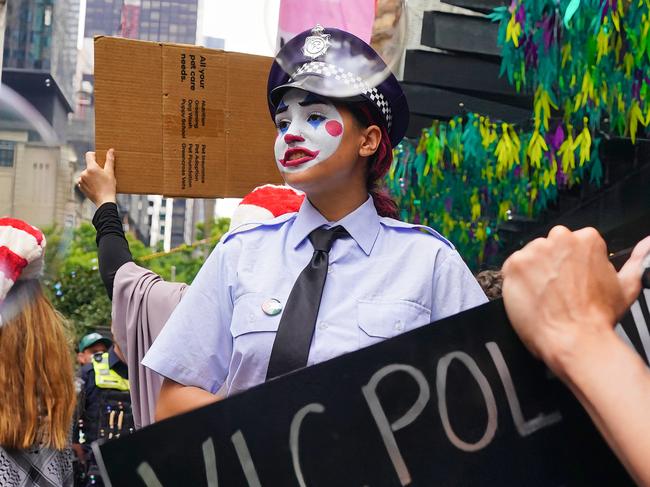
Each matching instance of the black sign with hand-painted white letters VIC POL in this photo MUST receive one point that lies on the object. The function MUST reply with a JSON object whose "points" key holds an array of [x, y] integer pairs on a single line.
{"points": [[458, 402]]}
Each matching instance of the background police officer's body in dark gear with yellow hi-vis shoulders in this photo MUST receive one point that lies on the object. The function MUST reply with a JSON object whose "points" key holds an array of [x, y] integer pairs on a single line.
{"points": [[104, 410]]}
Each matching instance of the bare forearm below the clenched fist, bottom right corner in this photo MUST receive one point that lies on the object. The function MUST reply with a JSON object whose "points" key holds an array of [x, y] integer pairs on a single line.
{"points": [[613, 384]]}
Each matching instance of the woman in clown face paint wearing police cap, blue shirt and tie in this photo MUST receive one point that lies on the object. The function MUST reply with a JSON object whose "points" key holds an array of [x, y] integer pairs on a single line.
{"points": [[338, 275]]}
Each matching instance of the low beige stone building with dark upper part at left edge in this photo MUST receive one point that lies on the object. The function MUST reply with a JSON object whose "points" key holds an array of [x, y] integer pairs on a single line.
{"points": [[36, 169]]}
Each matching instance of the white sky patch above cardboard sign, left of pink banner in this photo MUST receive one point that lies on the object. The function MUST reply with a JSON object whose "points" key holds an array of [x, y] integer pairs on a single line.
{"points": [[248, 26]]}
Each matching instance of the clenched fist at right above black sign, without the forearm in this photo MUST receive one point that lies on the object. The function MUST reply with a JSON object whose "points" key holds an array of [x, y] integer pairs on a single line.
{"points": [[576, 292]]}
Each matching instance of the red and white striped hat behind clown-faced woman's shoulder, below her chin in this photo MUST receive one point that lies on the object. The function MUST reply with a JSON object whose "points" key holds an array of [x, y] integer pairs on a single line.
{"points": [[265, 203]]}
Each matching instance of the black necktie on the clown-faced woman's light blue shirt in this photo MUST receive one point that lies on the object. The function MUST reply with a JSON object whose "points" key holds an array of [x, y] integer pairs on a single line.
{"points": [[296, 328]]}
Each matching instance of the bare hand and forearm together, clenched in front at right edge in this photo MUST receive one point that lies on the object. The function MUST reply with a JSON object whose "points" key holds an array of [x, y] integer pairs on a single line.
{"points": [[578, 298]]}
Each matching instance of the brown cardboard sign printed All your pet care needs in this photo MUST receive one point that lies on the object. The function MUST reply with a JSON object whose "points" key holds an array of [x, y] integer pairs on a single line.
{"points": [[184, 120]]}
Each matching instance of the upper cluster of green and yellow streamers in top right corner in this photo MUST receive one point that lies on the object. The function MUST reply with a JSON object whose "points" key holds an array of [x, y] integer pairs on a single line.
{"points": [[588, 58]]}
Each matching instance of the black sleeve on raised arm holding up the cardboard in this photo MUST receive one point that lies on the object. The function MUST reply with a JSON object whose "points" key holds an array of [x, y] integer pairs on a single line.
{"points": [[112, 248]]}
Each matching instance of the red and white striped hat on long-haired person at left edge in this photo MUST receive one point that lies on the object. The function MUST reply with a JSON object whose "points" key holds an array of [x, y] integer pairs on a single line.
{"points": [[22, 249]]}
